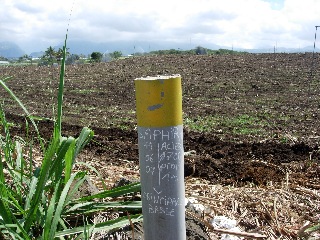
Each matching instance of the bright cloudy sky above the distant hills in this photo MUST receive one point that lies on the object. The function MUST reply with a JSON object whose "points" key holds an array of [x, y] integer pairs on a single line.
{"points": [[36, 24]]}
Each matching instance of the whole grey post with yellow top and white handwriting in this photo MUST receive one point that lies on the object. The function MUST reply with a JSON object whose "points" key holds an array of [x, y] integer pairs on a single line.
{"points": [[161, 156]]}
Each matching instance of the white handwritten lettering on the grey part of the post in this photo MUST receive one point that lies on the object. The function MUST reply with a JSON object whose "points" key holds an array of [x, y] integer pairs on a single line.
{"points": [[161, 159]]}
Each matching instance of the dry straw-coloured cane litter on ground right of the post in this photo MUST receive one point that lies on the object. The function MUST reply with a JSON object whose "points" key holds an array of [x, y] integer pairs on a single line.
{"points": [[278, 212]]}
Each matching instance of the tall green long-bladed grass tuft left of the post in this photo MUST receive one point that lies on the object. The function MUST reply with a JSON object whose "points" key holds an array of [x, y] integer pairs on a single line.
{"points": [[39, 202]]}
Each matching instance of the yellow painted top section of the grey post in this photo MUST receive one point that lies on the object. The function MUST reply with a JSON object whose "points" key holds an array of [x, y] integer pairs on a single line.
{"points": [[159, 101]]}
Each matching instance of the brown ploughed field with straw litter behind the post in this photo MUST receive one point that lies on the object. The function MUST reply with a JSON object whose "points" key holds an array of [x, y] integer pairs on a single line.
{"points": [[251, 128]]}
